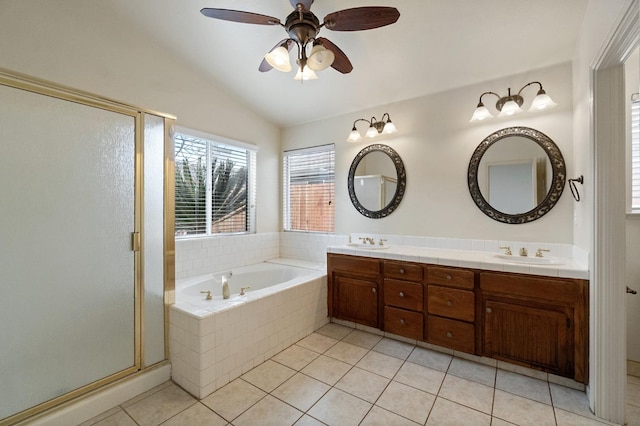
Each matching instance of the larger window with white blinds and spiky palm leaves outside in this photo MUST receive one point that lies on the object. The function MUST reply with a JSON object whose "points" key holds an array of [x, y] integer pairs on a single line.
{"points": [[215, 187]]}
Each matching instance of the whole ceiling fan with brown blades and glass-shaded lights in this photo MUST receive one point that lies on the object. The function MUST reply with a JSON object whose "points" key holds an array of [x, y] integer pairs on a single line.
{"points": [[303, 27]]}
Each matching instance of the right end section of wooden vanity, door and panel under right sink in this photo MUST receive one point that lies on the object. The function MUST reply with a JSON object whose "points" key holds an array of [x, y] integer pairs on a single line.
{"points": [[538, 322]]}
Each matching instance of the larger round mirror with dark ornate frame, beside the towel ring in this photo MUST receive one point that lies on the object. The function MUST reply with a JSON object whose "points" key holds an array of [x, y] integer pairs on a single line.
{"points": [[516, 175]]}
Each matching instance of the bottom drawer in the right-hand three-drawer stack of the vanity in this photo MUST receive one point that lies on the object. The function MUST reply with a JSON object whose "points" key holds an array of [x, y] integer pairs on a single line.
{"points": [[456, 335]]}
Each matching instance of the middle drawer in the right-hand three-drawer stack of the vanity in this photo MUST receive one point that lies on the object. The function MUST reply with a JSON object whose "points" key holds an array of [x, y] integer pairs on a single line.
{"points": [[451, 303]]}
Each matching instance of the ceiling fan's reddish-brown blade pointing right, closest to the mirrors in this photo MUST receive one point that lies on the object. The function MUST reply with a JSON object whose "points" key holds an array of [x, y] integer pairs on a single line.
{"points": [[361, 18]]}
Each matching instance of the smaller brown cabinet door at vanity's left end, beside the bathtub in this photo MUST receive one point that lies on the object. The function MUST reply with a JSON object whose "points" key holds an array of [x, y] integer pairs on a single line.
{"points": [[356, 299]]}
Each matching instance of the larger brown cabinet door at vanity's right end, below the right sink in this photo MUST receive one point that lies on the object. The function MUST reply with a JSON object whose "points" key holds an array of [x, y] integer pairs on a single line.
{"points": [[531, 336]]}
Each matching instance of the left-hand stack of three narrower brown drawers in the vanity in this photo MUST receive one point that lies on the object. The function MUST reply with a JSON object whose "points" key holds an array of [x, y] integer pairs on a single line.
{"points": [[403, 299]]}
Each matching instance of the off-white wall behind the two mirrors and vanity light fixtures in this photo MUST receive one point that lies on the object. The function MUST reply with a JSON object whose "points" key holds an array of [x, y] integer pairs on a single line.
{"points": [[436, 141]]}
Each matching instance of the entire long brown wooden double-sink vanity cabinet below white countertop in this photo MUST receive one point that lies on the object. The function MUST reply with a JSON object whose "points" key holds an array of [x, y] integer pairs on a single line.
{"points": [[534, 321]]}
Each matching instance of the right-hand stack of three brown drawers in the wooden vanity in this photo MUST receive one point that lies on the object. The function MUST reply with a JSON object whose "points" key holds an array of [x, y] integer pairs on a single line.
{"points": [[450, 302]]}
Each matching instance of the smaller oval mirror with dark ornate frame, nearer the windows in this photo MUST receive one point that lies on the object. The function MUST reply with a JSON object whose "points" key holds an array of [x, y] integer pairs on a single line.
{"points": [[377, 181]]}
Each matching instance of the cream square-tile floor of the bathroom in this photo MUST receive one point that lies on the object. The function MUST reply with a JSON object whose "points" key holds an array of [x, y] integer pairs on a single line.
{"points": [[340, 376]]}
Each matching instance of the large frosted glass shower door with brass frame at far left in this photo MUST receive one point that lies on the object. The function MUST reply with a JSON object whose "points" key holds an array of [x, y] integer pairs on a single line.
{"points": [[67, 269]]}
